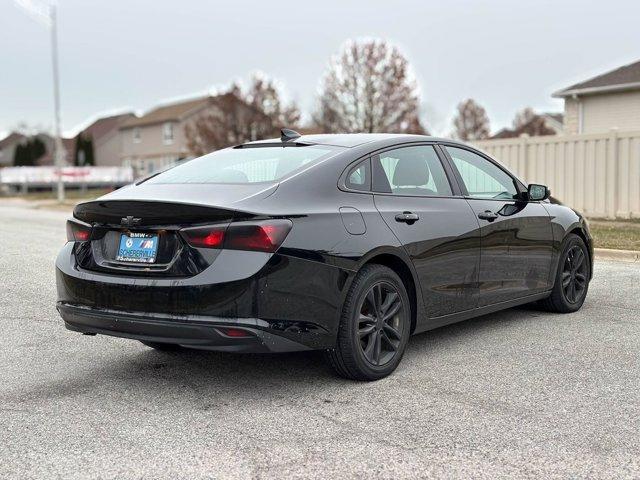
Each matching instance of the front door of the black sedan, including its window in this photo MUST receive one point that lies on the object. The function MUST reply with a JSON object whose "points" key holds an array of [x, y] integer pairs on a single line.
{"points": [[516, 234]]}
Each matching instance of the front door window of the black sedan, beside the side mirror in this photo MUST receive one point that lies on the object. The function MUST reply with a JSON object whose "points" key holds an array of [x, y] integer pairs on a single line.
{"points": [[482, 178]]}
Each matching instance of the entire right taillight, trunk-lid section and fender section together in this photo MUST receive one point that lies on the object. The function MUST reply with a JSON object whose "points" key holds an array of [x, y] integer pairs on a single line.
{"points": [[265, 236]]}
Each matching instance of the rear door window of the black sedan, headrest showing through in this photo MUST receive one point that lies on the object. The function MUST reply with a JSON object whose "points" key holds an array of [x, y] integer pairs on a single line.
{"points": [[412, 171]]}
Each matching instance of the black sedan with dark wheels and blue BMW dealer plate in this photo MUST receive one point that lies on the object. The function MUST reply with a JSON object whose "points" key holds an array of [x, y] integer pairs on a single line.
{"points": [[344, 243]]}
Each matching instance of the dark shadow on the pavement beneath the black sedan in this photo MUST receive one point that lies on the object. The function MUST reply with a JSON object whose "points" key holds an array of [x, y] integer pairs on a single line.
{"points": [[222, 377]]}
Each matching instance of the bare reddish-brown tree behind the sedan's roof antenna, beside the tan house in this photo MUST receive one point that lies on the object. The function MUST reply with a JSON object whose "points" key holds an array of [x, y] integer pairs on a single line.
{"points": [[238, 116]]}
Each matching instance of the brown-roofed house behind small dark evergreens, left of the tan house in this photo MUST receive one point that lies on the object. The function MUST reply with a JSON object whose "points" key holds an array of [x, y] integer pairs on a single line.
{"points": [[105, 135]]}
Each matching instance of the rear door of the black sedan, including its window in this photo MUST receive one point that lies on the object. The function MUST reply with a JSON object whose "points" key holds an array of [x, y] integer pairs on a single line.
{"points": [[425, 210]]}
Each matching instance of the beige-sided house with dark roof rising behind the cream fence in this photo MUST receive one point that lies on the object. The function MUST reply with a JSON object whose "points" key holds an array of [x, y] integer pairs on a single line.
{"points": [[605, 102]]}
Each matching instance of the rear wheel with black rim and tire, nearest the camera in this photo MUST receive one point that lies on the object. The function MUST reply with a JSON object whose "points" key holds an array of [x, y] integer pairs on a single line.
{"points": [[374, 326]]}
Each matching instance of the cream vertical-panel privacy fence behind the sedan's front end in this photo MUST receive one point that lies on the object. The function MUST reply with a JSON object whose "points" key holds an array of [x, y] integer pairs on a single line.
{"points": [[597, 174]]}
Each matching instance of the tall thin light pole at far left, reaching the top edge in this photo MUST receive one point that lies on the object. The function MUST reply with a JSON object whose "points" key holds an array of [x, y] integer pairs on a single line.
{"points": [[46, 14]]}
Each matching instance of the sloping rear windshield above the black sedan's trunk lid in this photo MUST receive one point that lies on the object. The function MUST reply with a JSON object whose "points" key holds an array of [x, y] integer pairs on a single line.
{"points": [[245, 165]]}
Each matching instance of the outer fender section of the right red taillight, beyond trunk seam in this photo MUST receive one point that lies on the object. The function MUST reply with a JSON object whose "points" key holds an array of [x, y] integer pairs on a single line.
{"points": [[264, 236]]}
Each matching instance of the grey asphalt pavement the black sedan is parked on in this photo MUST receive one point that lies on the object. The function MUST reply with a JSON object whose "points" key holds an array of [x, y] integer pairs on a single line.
{"points": [[520, 393]]}
